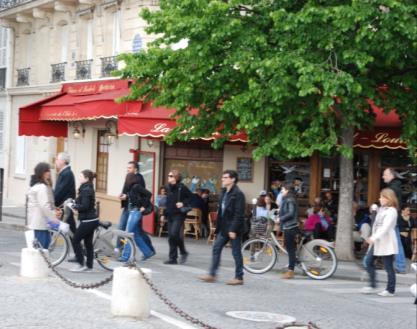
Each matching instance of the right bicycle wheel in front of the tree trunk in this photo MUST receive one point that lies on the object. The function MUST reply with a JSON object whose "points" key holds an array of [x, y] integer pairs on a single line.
{"points": [[318, 260]]}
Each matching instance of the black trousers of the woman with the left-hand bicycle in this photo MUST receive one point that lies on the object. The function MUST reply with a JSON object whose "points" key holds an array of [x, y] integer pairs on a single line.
{"points": [[85, 231]]}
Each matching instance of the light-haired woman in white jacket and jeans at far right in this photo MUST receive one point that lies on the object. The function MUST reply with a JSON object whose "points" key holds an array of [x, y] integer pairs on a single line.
{"points": [[383, 242]]}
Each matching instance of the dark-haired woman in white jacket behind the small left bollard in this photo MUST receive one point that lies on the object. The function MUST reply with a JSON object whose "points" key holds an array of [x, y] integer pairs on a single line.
{"points": [[41, 203]]}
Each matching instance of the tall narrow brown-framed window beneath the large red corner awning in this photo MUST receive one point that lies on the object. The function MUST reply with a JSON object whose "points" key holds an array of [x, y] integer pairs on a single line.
{"points": [[102, 160]]}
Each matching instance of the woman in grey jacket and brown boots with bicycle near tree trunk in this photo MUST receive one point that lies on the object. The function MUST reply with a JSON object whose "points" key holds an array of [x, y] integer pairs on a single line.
{"points": [[288, 218]]}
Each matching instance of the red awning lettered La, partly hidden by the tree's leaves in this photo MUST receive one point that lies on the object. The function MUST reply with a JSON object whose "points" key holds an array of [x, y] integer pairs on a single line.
{"points": [[155, 122]]}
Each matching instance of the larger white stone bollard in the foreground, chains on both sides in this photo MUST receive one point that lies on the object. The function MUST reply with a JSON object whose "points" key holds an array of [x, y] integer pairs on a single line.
{"points": [[130, 293]]}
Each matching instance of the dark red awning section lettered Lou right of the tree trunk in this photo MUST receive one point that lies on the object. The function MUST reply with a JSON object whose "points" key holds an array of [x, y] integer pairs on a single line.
{"points": [[379, 138]]}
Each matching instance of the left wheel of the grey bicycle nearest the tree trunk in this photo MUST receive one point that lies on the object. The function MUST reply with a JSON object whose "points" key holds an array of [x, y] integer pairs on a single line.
{"points": [[259, 256]]}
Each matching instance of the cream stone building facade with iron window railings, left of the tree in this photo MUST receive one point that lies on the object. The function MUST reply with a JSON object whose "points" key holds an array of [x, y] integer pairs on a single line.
{"points": [[74, 43]]}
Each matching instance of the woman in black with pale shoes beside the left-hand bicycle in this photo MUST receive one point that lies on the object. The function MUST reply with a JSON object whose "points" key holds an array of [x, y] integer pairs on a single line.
{"points": [[85, 204]]}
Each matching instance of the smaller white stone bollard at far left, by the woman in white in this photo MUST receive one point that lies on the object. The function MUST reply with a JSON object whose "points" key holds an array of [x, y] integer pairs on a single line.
{"points": [[32, 265]]}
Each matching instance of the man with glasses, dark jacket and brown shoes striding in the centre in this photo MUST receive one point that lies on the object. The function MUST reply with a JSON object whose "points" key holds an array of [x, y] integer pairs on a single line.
{"points": [[230, 226]]}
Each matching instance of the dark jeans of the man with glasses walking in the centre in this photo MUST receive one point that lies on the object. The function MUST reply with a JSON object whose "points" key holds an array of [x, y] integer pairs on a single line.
{"points": [[218, 246]]}
